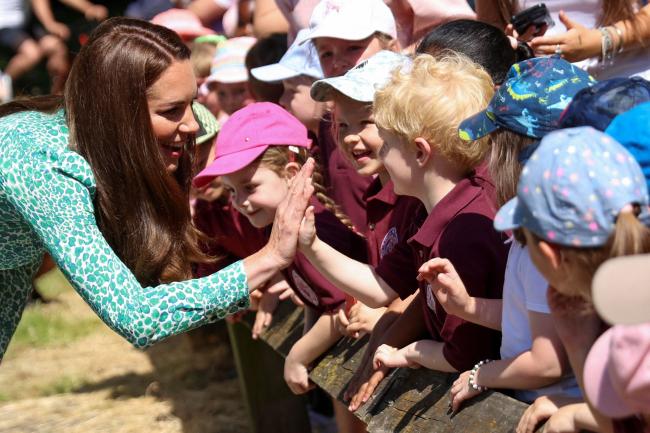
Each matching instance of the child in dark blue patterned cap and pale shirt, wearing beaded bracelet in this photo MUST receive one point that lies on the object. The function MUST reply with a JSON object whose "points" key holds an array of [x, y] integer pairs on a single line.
{"points": [[532, 360]]}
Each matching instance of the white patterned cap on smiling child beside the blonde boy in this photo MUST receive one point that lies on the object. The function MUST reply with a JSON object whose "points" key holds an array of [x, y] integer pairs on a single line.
{"points": [[361, 82]]}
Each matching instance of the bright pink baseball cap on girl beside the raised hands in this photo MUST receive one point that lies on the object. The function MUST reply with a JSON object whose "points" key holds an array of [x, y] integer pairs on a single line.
{"points": [[247, 134]]}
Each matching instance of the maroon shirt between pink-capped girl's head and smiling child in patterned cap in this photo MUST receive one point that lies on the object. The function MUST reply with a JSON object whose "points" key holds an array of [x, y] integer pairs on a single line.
{"points": [[343, 183]]}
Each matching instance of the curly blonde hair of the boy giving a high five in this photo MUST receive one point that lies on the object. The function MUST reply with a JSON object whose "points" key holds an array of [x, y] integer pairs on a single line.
{"points": [[432, 99]]}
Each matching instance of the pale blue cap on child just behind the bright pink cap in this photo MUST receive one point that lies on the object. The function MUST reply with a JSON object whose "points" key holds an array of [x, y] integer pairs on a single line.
{"points": [[298, 60]]}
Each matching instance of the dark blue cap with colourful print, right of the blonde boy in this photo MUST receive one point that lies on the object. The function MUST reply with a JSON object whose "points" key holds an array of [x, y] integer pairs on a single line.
{"points": [[530, 101]]}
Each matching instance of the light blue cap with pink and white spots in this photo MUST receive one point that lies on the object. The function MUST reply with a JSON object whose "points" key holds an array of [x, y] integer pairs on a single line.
{"points": [[573, 187]]}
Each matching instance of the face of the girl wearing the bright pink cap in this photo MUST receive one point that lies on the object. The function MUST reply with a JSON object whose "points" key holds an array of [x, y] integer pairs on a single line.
{"points": [[256, 191]]}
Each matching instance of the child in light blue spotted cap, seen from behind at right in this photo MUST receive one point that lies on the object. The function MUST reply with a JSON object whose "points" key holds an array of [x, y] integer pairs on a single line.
{"points": [[581, 199]]}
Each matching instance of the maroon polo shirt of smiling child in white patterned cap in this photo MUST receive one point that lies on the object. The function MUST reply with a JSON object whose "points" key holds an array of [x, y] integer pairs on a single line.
{"points": [[390, 219]]}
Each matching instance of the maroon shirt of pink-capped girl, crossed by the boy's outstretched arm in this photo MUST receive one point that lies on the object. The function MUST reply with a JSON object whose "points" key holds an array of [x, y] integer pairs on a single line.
{"points": [[312, 287]]}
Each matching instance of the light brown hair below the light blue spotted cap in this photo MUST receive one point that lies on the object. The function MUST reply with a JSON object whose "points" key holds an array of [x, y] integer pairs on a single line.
{"points": [[630, 237]]}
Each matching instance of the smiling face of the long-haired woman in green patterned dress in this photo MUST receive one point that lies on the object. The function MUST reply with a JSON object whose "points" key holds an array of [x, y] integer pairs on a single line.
{"points": [[170, 109]]}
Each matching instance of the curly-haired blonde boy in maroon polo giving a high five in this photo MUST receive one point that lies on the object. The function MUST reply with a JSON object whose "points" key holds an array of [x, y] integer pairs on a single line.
{"points": [[418, 113]]}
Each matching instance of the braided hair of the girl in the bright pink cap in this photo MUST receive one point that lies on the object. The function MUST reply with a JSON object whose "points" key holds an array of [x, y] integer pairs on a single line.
{"points": [[276, 158]]}
